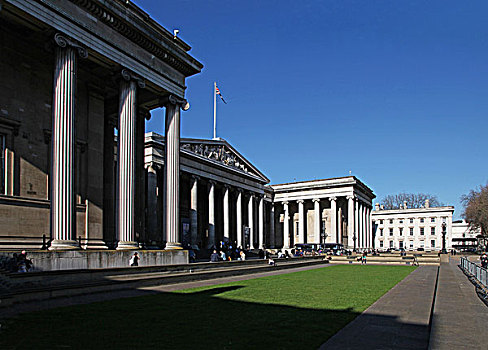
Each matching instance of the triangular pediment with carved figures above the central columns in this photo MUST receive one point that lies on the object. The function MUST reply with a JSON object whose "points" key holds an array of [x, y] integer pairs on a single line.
{"points": [[221, 152]]}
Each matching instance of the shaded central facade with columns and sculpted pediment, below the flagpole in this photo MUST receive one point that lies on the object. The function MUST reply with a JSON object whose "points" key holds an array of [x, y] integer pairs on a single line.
{"points": [[223, 197]]}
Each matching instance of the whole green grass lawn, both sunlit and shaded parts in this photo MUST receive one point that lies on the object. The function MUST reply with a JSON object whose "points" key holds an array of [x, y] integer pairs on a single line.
{"points": [[292, 311]]}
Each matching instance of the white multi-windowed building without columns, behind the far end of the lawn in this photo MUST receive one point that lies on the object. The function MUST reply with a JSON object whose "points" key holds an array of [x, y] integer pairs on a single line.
{"points": [[412, 228]]}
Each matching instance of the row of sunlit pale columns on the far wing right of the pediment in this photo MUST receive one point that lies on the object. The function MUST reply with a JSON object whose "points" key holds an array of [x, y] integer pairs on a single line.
{"points": [[358, 222]]}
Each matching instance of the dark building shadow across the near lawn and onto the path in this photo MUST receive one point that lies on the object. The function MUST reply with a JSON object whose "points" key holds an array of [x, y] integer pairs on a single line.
{"points": [[199, 320]]}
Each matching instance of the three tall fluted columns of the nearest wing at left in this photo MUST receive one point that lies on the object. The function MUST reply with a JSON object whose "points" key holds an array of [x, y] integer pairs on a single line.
{"points": [[62, 196]]}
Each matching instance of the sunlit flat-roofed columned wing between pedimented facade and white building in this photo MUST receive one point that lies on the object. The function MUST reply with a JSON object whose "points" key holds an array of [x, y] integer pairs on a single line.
{"points": [[336, 210]]}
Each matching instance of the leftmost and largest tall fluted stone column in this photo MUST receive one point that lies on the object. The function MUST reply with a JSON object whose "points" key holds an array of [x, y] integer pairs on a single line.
{"points": [[63, 217]]}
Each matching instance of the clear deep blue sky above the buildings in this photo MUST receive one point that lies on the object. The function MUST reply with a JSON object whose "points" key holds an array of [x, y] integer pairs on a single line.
{"points": [[393, 91]]}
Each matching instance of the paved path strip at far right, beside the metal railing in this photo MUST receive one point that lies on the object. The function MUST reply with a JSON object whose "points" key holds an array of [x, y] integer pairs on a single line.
{"points": [[460, 318]]}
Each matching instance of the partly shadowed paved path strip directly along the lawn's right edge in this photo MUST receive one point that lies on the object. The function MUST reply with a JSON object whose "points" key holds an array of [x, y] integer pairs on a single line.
{"points": [[398, 320]]}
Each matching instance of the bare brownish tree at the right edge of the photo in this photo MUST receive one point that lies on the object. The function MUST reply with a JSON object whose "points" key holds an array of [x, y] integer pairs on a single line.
{"points": [[476, 210]]}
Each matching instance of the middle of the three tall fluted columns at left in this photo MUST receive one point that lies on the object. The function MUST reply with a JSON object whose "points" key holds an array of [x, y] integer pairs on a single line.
{"points": [[127, 155]]}
